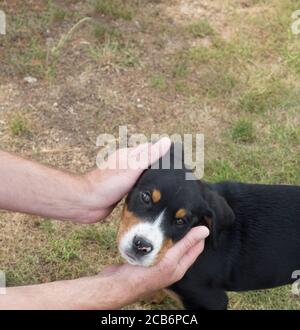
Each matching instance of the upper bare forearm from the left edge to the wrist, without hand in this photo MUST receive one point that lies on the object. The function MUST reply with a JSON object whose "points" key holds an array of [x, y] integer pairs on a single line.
{"points": [[33, 188]]}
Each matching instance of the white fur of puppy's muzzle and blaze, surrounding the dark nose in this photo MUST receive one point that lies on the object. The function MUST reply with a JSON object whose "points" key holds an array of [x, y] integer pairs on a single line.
{"points": [[152, 232]]}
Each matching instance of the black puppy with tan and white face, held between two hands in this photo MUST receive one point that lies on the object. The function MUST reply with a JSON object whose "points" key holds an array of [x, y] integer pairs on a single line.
{"points": [[254, 240]]}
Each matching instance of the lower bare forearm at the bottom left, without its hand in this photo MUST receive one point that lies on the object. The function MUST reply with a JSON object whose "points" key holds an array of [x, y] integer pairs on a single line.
{"points": [[97, 292]]}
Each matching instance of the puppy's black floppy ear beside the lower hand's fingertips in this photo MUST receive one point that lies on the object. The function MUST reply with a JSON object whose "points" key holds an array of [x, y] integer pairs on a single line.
{"points": [[218, 215]]}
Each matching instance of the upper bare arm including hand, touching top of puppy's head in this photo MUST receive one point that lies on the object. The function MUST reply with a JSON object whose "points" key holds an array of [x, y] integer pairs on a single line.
{"points": [[29, 187]]}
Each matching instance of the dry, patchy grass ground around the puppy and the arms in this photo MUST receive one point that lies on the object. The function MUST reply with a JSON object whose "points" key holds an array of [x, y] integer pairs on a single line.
{"points": [[226, 69]]}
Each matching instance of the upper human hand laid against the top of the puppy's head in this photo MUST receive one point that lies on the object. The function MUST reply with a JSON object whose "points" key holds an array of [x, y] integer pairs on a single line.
{"points": [[106, 187]]}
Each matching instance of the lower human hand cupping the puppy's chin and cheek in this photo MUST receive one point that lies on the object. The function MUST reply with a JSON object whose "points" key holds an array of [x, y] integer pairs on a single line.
{"points": [[132, 283]]}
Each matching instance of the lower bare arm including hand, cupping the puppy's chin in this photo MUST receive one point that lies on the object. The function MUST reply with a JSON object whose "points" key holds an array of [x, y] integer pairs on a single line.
{"points": [[115, 287]]}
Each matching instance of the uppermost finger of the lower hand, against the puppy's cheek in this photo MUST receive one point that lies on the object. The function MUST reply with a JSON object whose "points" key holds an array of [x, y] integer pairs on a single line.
{"points": [[193, 237]]}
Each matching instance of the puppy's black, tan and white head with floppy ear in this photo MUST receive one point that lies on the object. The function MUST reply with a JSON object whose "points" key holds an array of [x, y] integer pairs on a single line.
{"points": [[162, 207]]}
